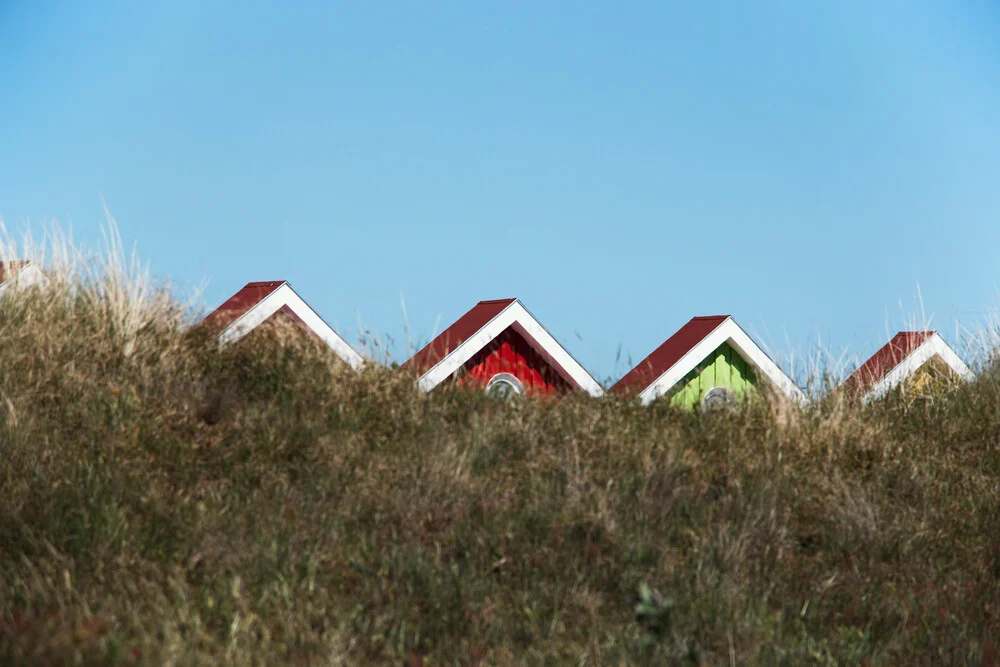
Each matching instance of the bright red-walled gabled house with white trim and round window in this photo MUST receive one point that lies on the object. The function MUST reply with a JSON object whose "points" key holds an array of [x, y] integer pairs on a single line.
{"points": [[499, 346]]}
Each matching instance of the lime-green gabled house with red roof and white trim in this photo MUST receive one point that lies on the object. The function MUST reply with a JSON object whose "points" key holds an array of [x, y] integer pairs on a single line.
{"points": [[707, 362]]}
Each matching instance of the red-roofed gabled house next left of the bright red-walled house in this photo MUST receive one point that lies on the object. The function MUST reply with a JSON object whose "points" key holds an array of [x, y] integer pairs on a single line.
{"points": [[274, 302]]}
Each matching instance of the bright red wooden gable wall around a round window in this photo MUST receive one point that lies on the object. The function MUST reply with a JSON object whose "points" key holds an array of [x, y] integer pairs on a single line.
{"points": [[510, 353]]}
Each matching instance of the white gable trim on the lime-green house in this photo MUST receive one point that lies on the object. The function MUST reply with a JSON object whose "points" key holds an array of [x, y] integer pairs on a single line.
{"points": [[727, 332]]}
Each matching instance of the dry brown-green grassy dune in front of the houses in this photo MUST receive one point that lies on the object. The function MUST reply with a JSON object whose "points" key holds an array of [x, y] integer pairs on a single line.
{"points": [[162, 502]]}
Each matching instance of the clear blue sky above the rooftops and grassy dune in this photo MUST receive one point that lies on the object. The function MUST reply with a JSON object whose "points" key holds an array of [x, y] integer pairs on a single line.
{"points": [[802, 166]]}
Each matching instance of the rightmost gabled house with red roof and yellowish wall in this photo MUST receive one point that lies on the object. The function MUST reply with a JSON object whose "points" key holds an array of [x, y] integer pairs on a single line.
{"points": [[914, 359]]}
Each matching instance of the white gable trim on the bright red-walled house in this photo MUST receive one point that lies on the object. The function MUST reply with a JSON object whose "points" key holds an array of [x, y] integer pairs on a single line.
{"points": [[515, 315]]}
